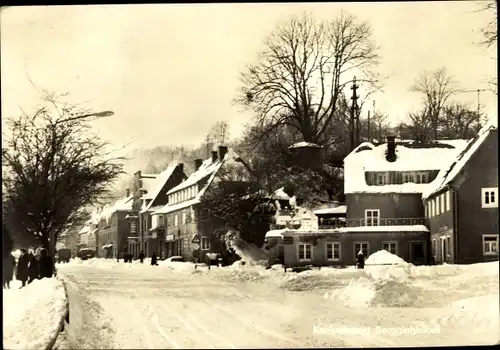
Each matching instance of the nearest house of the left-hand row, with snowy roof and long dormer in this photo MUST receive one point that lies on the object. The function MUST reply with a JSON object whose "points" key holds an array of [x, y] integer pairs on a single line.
{"points": [[189, 230]]}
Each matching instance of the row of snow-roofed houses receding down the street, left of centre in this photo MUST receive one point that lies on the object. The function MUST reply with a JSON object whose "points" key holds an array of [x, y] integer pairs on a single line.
{"points": [[161, 213]]}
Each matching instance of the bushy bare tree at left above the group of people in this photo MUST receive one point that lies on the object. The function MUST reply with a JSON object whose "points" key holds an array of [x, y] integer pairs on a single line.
{"points": [[55, 165]]}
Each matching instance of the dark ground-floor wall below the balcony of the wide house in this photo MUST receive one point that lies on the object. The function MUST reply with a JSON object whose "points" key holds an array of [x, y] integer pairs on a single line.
{"points": [[347, 250]]}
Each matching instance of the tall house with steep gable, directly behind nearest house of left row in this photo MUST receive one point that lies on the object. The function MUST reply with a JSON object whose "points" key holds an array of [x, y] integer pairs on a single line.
{"points": [[149, 194]]}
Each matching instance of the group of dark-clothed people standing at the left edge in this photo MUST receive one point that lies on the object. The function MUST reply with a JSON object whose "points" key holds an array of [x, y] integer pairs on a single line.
{"points": [[28, 267]]}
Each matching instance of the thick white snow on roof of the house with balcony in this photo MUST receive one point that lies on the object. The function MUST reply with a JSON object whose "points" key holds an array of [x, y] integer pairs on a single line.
{"points": [[410, 157]]}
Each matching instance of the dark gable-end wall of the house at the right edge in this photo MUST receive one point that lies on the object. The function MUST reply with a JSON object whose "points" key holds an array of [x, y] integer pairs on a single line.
{"points": [[473, 220]]}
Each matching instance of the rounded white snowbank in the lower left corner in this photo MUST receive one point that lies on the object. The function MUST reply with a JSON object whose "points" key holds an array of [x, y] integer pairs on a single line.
{"points": [[31, 315]]}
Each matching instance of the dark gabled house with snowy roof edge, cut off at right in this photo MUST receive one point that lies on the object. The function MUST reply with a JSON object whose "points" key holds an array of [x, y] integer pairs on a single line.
{"points": [[462, 204]]}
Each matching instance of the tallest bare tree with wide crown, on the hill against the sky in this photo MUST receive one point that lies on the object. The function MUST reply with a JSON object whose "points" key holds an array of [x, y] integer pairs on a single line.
{"points": [[303, 71]]}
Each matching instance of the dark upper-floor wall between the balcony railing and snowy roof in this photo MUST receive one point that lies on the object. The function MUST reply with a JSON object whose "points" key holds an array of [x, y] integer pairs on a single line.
{"points": [[391, 205]]}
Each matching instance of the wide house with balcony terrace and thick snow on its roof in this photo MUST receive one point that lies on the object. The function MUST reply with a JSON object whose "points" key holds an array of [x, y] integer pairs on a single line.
{"points": [[384, 210]]}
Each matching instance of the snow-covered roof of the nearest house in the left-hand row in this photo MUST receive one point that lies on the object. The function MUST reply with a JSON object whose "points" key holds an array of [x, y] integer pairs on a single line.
{"points": [[208, 169]]}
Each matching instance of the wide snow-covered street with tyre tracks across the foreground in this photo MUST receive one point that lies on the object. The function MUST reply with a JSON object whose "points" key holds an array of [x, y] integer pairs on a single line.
{"points": [[118, 305]]}
